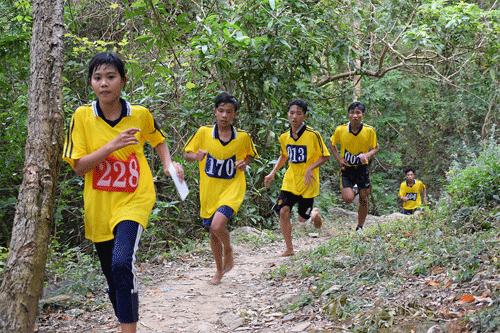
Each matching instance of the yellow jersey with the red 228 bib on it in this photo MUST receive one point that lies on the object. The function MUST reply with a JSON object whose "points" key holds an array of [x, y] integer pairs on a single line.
{"points": [[121, 187]]}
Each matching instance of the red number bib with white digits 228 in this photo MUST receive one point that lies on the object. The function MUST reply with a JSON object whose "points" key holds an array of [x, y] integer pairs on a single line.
{"points": [[114, 175]]}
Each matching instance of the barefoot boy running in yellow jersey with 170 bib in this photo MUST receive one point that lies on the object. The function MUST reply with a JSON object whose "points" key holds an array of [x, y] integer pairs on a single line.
{"points": [[223, 153]]}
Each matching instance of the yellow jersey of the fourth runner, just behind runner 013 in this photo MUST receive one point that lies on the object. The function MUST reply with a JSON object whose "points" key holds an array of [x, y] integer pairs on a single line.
{"points": [[351, 145]]}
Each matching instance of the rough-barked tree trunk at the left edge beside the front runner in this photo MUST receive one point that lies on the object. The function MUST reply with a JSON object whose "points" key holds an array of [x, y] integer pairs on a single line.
{"points": [[22, 282]]}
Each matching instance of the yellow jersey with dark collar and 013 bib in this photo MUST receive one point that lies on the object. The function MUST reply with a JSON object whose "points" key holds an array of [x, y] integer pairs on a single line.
{"points": [[301, 153]]}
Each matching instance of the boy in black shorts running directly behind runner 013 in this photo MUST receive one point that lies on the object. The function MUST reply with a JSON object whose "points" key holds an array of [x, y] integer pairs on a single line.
{"points": [[358, 144]]}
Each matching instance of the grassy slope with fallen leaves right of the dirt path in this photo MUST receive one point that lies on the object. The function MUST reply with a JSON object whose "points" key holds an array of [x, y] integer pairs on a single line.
{"points": [[386, 256]]}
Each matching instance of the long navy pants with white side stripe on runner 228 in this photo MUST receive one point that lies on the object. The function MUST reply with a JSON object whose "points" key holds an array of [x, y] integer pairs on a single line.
{"points": [[117, 257]]}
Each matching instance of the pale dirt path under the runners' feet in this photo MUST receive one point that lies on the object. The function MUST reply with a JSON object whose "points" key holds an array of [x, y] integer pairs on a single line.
{"points": [[175, 296]]}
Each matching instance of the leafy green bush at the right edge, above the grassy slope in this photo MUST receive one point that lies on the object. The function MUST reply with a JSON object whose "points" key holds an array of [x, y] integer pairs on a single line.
{"points": [[475, 182]]}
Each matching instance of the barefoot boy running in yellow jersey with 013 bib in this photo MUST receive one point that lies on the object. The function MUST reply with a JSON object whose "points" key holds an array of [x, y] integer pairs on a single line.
{"points": [[305, 152]]}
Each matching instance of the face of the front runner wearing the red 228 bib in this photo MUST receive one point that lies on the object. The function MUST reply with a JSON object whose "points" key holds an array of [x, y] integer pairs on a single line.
{"points": [[107, 83]]}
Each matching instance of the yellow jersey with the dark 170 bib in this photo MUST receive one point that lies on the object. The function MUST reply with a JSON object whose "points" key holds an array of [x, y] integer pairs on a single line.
{"points": [[221, 184]]}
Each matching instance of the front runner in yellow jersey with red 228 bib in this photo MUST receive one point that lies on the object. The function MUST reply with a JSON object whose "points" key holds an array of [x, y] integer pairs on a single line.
{"points": [[105, 143]]}
